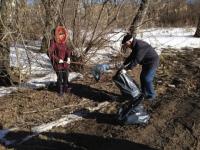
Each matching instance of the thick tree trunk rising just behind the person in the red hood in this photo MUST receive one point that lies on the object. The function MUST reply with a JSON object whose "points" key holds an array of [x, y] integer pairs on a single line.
{"points": [[52, 10]]}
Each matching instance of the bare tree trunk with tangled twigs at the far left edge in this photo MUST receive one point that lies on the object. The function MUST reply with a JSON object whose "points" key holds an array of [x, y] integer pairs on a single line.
{"points": [[10, 29]]}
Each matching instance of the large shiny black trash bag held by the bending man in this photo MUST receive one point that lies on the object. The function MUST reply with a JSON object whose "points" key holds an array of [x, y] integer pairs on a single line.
{"points": [[132, 112]]}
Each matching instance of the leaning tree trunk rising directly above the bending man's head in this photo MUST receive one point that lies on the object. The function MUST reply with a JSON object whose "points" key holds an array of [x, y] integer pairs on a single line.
{"points": [[138, 19]]}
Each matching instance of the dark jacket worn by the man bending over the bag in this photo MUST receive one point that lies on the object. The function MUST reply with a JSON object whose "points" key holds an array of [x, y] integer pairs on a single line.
{"points": [[143, 54]]}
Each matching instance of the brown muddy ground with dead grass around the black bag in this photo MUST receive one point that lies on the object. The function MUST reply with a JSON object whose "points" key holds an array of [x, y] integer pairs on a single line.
{"points": [[174, 122]]}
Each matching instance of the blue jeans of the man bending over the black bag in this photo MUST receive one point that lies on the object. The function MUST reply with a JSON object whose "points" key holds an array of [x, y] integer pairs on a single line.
{"points": [[146, 79]]}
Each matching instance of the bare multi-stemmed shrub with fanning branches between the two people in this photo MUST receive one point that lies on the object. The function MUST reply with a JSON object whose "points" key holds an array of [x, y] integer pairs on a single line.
{"points": [[90, 24]]}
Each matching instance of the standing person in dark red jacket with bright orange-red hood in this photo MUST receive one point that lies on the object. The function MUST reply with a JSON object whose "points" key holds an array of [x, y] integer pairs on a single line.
{"points": [[59, 54]]}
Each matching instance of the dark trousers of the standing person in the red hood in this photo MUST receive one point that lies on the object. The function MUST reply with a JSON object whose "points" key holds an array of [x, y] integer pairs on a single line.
{"points": [[62, 80]]}
